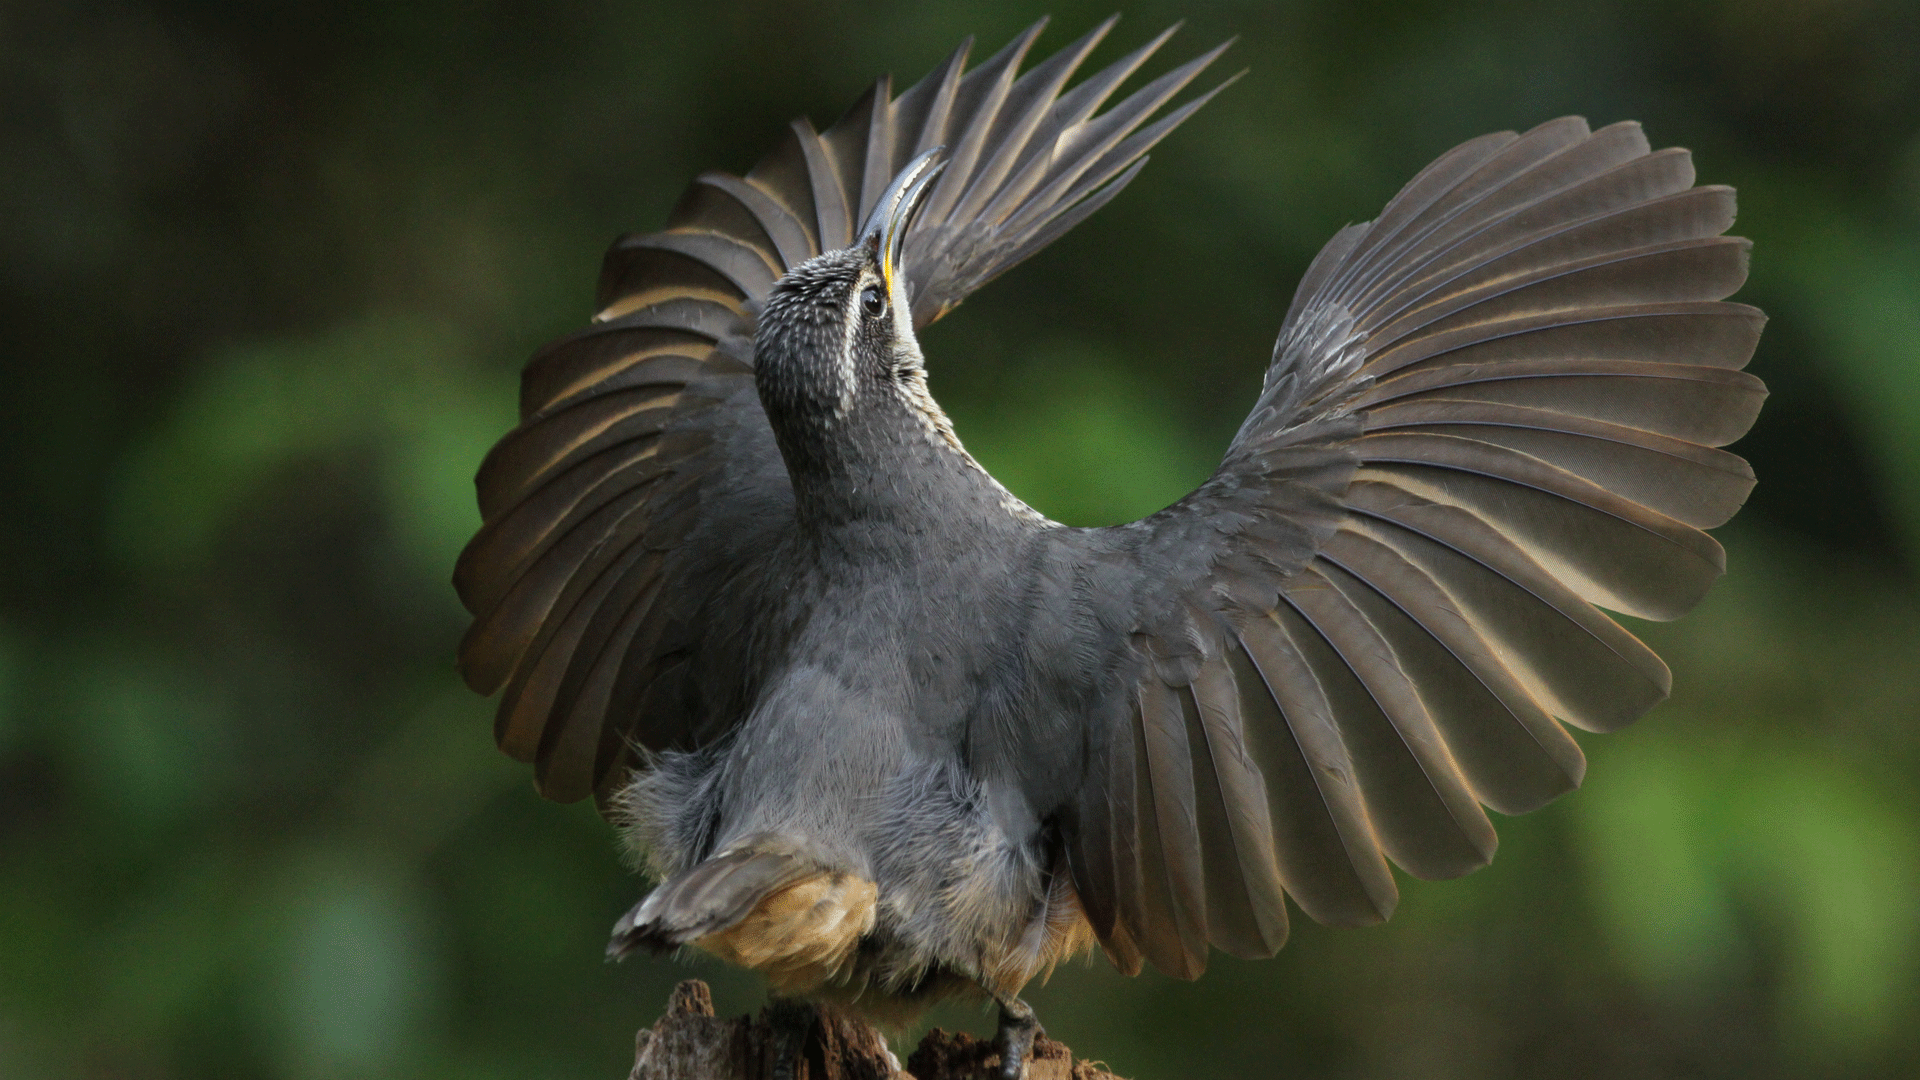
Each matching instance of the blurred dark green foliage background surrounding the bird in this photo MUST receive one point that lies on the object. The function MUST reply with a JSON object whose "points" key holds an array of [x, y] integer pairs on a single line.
{"points": [[268, 274]]}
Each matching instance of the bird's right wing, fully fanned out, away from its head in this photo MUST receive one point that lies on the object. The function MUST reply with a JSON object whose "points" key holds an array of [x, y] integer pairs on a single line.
{"points": [[1493, 414]]}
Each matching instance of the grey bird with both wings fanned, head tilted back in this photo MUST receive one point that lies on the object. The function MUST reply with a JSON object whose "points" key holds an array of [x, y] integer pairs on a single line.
{"points": [[888, 735]]}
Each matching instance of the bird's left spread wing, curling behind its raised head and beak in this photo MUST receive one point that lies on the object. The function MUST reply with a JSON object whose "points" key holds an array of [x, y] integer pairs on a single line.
{"points": [[644, 468]]}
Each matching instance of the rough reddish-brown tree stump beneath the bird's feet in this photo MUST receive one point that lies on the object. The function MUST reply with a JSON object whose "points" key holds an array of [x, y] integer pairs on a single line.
{"points": [[692, 1044]]}
